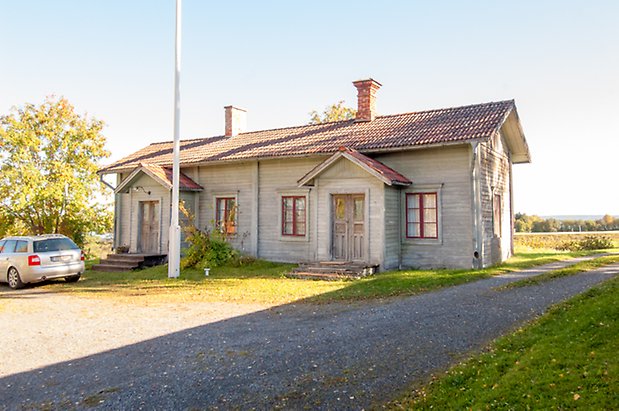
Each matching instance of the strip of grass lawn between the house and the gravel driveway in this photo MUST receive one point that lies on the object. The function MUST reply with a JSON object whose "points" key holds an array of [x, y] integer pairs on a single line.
{"points": [[264, 283]]}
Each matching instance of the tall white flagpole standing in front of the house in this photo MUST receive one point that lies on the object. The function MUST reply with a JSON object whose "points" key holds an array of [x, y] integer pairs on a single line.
{"points": [[174, 251]]}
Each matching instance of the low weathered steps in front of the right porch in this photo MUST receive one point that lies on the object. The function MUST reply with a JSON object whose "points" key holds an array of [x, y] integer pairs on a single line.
{"points": [[333, 271]]}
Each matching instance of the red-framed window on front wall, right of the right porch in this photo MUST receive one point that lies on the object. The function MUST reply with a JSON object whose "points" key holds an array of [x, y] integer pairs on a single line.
{"points": [[421, 215]]}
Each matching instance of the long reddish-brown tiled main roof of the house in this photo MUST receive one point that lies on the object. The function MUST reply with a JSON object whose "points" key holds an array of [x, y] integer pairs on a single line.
{"points": [[443, 126]]}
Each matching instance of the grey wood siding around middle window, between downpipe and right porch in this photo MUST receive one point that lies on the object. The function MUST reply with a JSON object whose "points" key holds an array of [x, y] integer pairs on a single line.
{"points": [[277, 178]]}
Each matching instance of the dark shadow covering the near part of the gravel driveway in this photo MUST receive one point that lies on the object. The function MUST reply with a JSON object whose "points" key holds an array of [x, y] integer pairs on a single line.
{"points": [[334, 356]]}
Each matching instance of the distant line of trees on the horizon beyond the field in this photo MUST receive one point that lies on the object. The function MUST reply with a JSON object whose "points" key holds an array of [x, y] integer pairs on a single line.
{"points": [[536, 224]]}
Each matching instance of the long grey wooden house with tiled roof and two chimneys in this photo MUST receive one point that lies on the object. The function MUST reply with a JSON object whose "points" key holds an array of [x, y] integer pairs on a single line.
{"points": [[426, 189]]}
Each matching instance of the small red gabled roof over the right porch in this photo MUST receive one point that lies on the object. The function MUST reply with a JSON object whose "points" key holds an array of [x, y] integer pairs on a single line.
{"points": [[386, 174]]}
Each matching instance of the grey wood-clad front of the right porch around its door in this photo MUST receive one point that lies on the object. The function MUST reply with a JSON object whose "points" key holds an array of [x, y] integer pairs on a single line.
{"points": [[344, 177]]}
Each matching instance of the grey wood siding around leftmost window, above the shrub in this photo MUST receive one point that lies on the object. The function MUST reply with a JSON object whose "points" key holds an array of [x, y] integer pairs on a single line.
{"points": [[225, 180]]}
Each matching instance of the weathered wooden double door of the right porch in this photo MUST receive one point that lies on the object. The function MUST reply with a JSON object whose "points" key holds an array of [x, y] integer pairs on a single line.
{"points": [[348, 227]]}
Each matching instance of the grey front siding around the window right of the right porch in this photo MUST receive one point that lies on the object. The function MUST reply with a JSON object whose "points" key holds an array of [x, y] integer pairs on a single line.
{"points": [[449, 166]]}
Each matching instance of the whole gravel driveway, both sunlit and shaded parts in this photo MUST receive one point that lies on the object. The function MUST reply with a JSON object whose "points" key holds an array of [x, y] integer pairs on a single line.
{"points": [[62, 352]]}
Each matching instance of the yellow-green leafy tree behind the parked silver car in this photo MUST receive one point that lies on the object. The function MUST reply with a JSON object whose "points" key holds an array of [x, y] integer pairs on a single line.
{"points": [[49, 156]]}
